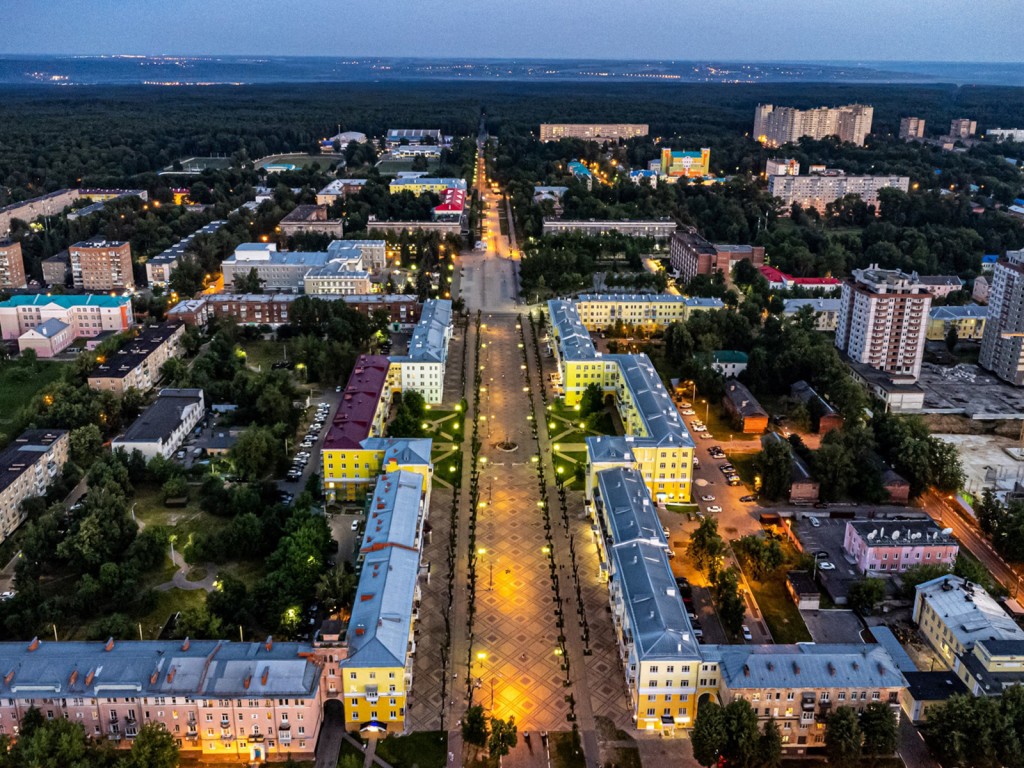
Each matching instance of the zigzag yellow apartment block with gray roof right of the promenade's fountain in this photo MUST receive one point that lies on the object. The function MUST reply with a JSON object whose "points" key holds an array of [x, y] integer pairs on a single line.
{"points": [[657, 442]]}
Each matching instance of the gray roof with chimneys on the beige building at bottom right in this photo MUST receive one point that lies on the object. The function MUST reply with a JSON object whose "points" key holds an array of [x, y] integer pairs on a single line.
{"points": [[805, 666]]}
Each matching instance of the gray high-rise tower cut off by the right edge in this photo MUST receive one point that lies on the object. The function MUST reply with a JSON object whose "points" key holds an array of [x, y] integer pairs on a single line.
{"points": [[1003, 340]]}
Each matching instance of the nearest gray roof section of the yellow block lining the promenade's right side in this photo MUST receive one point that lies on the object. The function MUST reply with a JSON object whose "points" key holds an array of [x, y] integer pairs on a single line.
{"points": [[660, 625]]}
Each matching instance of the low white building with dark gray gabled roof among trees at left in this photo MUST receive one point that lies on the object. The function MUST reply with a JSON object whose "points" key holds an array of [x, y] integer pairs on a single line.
{"points": [[162, 429]]}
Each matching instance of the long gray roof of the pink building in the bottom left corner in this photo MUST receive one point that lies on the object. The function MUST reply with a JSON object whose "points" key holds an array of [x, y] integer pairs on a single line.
{"points": [[201, 669]]}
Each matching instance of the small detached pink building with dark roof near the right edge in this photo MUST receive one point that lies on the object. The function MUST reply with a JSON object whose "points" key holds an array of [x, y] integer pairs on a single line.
{"points": [[880, 547]]}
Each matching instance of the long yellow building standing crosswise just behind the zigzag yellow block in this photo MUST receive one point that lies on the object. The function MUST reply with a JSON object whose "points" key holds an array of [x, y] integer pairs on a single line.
{"points": [[599, 312]]}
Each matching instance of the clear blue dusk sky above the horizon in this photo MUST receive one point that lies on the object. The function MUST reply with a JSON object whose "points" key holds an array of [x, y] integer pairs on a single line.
{"points": [[717, 30]]}
